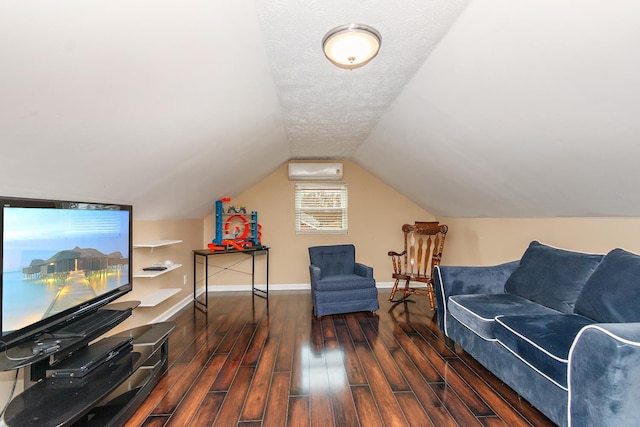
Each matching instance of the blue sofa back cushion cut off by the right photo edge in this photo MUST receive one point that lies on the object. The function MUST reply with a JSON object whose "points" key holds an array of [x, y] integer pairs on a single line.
{"points": [[612, 292]]}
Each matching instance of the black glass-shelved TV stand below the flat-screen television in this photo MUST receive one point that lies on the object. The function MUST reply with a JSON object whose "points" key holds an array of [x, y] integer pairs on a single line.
{"points": [[108, 393]]}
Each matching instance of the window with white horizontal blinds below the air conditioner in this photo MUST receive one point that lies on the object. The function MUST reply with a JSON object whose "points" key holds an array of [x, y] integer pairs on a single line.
{"points": [[321, 208]]}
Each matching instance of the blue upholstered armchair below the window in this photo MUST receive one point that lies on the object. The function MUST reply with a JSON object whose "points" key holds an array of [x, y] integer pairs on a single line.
{"points": [[338, 283]]}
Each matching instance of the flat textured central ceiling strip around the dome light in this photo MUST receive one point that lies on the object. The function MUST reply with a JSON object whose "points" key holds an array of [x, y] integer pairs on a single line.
{"points": [[328, 111]]}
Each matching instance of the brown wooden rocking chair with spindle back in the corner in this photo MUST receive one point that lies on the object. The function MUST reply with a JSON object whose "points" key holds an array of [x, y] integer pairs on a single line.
{"points": [[423, 244]]}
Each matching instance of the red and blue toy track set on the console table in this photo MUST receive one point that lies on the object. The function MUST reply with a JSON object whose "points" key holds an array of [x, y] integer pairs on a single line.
{"points": [[237, 232]]}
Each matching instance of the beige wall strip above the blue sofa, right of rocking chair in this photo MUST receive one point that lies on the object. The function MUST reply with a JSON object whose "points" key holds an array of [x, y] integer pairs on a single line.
{"points": [[487, 241]]}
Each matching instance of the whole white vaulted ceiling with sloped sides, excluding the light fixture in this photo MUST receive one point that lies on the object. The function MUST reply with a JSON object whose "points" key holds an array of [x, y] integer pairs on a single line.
{"points": [[472, 108]]}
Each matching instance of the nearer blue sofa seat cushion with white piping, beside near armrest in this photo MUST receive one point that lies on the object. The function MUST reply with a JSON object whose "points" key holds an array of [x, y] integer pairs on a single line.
{"points": [[541, 341]]}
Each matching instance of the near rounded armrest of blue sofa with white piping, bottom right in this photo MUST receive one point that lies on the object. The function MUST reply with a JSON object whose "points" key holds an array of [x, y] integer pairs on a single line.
{"points": [[603, 376]]}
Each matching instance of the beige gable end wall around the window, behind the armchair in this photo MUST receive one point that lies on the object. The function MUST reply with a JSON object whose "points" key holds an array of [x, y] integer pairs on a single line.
{"points": [[376, 215]]}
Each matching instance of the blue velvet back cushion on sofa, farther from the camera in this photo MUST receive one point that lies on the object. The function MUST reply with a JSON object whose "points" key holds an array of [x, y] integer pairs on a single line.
{"points": [[552, 277]]}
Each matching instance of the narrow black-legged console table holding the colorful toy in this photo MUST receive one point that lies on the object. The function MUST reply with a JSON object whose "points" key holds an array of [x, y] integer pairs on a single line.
{"points": [[206, 253]]}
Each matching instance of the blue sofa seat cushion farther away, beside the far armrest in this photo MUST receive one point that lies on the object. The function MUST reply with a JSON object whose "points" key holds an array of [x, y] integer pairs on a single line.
{"points": [[478, 312]]}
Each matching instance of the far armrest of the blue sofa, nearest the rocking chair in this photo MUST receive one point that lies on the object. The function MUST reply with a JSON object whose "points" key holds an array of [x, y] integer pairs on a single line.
{"points": [[462, 280]]}
